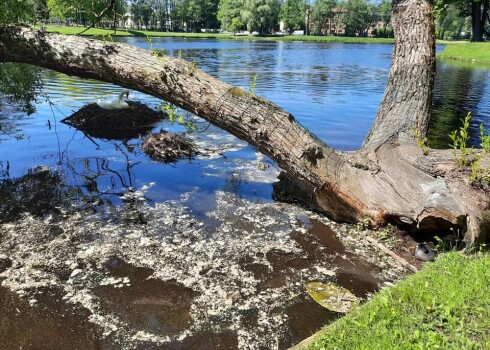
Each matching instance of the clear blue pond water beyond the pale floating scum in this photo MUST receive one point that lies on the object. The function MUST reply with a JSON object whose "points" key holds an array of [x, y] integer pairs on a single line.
{"points": [[332, 89]]}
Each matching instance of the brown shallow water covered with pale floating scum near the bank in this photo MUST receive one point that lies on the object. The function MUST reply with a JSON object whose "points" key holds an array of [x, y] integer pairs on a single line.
{"points": [[170, 280]]}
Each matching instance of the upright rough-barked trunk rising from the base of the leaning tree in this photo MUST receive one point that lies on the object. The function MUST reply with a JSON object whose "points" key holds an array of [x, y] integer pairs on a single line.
{"points": [[406, 104]]}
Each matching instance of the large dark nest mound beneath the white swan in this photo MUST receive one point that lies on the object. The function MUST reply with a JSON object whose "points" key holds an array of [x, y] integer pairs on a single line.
{"points": [[115, 124]]}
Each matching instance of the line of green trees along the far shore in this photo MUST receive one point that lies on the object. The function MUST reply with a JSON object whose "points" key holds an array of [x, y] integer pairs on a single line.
{"points": [[454, 18]]}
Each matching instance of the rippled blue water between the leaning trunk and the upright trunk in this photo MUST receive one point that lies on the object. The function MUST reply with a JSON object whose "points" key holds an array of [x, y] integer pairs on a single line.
{"points": [[325, 86]]}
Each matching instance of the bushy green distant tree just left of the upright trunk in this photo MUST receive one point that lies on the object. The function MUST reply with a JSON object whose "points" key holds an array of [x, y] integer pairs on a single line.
{"points": [[358, 16]]}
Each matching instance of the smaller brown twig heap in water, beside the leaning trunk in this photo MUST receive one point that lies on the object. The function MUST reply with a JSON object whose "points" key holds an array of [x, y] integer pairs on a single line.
{"points": [[168, 147]]}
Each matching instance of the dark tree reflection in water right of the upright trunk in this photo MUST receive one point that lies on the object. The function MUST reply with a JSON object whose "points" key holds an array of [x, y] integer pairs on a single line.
{"points": [[458, 90]]}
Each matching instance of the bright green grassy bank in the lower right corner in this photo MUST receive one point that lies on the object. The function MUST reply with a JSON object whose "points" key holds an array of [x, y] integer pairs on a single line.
{"points": [[445, 306]]}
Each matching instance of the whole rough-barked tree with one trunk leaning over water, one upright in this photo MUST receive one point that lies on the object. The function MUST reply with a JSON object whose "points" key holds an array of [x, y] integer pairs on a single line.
{"points": [[390, 180]]}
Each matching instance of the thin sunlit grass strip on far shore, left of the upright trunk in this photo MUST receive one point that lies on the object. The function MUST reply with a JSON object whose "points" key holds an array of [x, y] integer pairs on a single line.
{"points": [[145, 33]]}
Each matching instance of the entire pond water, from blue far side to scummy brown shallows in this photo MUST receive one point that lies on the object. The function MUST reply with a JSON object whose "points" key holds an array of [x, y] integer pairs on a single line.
{"points": [[101, 247]]}
